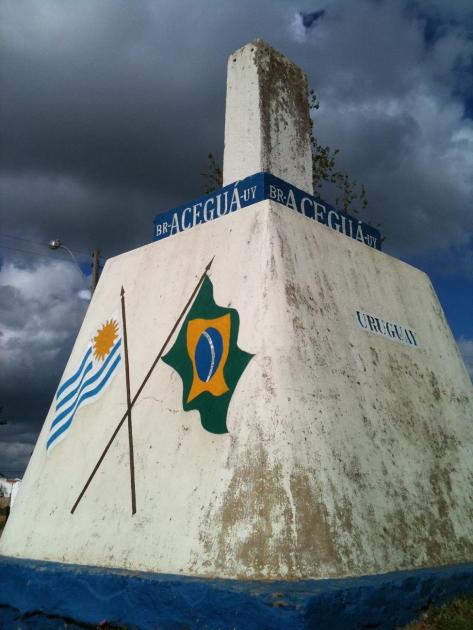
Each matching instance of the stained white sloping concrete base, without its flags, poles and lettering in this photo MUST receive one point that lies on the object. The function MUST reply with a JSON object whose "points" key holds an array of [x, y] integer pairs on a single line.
{"points": [[348, 454]]}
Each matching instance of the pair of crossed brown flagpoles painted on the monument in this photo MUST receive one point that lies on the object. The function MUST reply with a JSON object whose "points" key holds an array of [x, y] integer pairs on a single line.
{"points": [[131, 401]]}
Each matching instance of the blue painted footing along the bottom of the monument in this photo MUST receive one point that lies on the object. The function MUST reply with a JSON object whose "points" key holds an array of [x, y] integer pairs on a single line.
{"points": [[43, 594]]}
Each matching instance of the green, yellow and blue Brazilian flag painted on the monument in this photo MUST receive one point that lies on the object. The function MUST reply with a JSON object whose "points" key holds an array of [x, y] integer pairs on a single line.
{"points": [[207, 358]]}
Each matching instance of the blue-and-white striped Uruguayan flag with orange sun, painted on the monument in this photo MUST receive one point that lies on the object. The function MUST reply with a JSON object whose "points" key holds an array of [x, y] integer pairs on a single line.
{"points": [[98, 365]]}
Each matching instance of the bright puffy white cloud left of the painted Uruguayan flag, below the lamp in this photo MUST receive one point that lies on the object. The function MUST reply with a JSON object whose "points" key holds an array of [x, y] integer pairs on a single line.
{"points": [[41, 312]]}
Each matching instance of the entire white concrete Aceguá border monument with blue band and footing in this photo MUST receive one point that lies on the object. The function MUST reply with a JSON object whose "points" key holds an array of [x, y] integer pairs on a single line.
{"points": [[300, 435]]}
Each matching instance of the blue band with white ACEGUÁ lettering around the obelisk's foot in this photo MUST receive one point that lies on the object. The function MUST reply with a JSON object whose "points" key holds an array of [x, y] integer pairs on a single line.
{"points": [[256, 188]]}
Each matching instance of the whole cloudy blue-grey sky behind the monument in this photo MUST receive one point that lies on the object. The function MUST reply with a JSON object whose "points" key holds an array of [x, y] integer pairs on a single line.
{"points": [[109, 109]]}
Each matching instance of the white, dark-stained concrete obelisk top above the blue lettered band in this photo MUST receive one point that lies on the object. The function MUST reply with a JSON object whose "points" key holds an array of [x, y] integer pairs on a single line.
{"points": [[267, 122]]}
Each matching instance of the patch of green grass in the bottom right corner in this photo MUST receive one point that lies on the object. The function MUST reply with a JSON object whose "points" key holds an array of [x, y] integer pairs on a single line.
{"points": [[456, 615]]}
